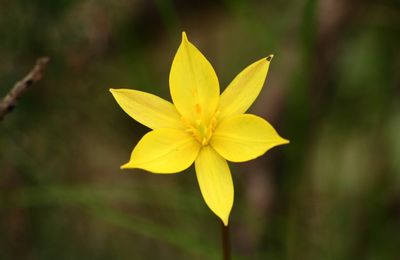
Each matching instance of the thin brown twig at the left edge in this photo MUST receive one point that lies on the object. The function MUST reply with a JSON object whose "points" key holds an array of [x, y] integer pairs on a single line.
{"points": [[36, 74]]}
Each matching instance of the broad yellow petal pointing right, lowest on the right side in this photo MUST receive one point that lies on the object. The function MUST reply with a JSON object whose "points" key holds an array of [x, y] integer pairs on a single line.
{"points": [[244, 137]]}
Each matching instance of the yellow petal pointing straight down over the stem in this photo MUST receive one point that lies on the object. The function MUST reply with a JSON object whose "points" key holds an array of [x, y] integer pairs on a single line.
{"points": [[215, 182]]}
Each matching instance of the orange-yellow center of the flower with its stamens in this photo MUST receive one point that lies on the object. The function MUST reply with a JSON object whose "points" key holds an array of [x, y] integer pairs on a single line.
{"points": [[200, 130]]}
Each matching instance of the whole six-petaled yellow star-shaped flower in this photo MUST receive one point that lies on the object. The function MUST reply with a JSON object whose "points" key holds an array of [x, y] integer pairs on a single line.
{"points": [[201, 126]]}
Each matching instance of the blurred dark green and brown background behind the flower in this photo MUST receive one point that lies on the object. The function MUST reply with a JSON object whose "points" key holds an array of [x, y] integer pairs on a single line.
{"points": [[332, 90]]}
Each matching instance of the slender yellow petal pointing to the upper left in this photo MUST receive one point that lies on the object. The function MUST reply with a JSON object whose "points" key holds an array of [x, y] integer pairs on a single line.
{"points": [[147, 109]]}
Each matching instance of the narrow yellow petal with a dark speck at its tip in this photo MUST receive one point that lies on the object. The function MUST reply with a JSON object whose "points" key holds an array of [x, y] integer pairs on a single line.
{"points": [[244, 89]]}
